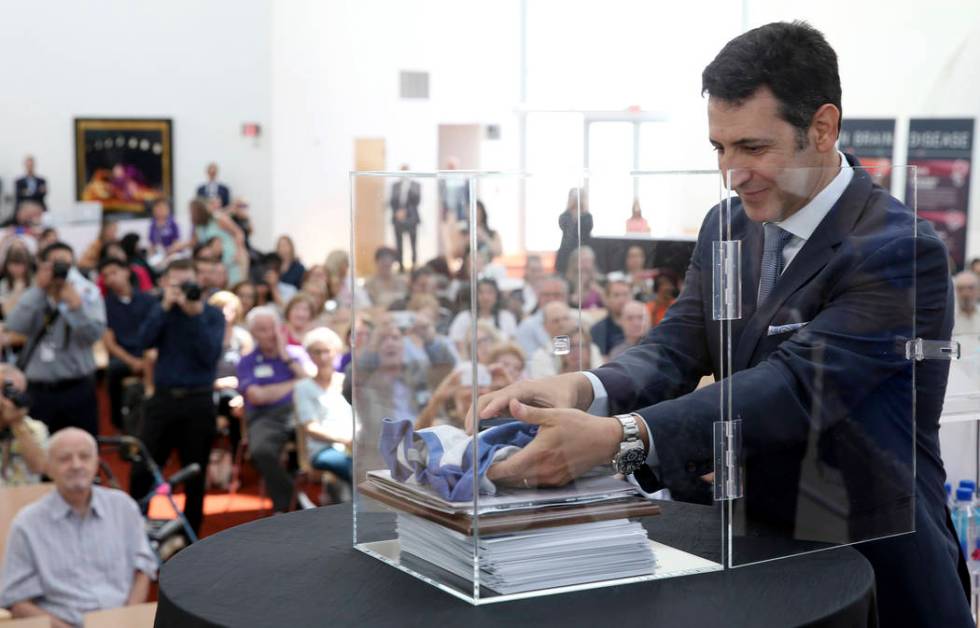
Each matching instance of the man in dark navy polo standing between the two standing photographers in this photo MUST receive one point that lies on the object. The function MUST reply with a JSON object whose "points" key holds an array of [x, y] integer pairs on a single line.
{"points": [[126, 309]]}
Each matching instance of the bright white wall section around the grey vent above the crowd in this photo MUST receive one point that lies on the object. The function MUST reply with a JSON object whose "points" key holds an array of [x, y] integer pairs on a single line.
{"points": [[335, 78]]}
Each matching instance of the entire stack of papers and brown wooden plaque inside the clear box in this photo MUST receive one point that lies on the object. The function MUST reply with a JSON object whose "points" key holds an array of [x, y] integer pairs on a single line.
{"points": [[526, 539]]}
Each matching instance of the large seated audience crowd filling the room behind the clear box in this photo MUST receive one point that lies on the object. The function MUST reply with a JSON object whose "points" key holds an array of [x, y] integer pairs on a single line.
{"points": [[205, 336]]}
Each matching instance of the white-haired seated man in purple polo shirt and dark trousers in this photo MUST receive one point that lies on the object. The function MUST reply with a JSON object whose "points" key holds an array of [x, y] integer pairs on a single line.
{"points": [[266, 378]]}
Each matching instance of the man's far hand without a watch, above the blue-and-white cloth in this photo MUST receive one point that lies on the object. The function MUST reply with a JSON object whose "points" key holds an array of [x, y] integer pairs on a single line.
{"points": [[570, 390]]}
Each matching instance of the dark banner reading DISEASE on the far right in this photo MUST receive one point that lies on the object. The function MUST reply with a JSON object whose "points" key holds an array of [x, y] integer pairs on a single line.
{"points": [[942, 150]]}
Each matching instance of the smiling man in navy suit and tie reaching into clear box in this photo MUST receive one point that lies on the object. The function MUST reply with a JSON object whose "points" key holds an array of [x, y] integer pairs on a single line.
{"points": [[839, 429]]}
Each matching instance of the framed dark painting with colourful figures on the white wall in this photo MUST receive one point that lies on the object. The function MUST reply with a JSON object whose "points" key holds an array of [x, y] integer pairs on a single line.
{"points": [[125, 164]]}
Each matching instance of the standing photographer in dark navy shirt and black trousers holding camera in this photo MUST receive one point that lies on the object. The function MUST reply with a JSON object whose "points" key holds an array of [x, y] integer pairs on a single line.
{"points": [[187, 334]]}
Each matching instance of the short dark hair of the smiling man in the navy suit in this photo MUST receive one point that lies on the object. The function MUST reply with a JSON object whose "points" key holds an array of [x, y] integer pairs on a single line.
{"points": [[793, 60]]}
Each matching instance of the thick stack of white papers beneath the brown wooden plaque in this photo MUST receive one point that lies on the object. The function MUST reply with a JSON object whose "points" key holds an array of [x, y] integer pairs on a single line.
{"points": [[534, 559]]}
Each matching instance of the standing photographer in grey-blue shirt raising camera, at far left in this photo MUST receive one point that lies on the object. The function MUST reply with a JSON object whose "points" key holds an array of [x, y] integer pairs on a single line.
{"points": [[59, 320]]}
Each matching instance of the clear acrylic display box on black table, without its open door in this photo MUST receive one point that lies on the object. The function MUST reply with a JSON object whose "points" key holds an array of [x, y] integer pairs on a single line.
{"points": [[542, 510]]}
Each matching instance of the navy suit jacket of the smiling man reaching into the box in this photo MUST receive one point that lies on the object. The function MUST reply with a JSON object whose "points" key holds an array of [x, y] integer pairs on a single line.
{"points": [[827, 407]]}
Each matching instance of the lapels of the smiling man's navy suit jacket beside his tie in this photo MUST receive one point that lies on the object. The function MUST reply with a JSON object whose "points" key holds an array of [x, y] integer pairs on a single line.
{"points": [[814, 255]]}
